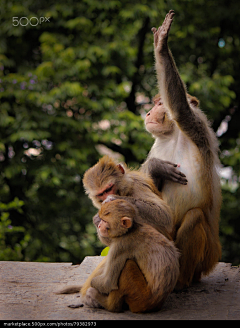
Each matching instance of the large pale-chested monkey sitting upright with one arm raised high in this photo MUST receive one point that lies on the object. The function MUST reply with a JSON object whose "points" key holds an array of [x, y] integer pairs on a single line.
{"points": [[183, 135]]}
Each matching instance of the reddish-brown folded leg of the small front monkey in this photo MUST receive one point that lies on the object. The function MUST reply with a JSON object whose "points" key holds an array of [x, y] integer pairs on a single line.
{"points": [[133, 290]]}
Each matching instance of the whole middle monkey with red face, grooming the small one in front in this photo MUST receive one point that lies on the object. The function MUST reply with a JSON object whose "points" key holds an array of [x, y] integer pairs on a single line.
{"points": [[106, 181]]}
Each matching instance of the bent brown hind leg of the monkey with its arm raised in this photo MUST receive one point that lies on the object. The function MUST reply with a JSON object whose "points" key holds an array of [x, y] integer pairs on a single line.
{"points": [[191, 240]]}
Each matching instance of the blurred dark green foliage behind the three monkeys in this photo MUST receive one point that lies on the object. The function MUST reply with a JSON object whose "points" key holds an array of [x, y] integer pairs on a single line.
{"points": [[76, 79]]}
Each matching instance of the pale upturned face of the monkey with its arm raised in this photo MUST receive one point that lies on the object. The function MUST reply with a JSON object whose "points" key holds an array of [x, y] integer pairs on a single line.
{"points": [[157, 120]]}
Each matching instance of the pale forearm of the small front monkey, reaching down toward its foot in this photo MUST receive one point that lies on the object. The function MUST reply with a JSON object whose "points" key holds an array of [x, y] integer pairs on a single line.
{"points": [[108, 280]]}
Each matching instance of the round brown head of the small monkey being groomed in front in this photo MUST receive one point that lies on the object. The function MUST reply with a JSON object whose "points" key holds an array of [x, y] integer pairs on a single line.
{"points": [[116, 217]]}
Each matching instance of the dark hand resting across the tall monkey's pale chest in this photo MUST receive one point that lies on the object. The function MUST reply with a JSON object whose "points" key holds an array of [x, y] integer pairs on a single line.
{"points": [[160, 169]]}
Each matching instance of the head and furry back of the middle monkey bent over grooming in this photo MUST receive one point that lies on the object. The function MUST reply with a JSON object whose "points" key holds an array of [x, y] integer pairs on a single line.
{"points": [[134, 186]]}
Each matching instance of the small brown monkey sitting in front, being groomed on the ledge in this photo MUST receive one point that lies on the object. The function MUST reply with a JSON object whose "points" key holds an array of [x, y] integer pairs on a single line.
{"points": [[142, 265]]}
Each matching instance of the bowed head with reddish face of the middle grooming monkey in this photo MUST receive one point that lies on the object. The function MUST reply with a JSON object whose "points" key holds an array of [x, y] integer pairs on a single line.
{"points": [[105, 178]]}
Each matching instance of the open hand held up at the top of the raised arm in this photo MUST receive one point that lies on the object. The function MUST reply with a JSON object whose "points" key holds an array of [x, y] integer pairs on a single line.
{"points": [[161, 34]]}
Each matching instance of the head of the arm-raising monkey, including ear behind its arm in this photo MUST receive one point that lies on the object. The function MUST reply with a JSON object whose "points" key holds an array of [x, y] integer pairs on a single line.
{"points": [[158, 121]]}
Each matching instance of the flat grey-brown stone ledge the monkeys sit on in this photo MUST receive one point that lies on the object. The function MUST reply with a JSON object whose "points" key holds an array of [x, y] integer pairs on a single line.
{"points": [[27, 293]]}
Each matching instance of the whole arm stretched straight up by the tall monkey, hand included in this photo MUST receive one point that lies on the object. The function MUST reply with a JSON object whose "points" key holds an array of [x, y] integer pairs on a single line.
{"points": [[172, 88]]}
